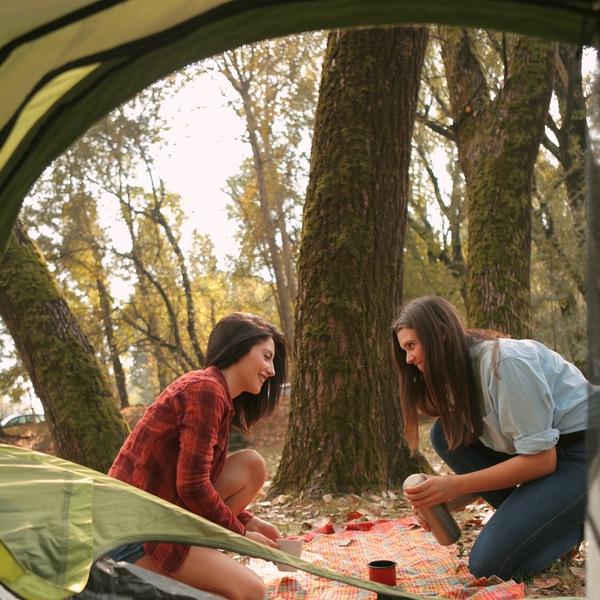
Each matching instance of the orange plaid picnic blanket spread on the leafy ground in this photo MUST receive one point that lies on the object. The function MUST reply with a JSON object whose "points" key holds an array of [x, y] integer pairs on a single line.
{"points": [[424, 567]]}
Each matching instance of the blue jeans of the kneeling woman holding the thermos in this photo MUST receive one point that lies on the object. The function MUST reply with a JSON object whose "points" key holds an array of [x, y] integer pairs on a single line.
{"points": [[534, 523]]}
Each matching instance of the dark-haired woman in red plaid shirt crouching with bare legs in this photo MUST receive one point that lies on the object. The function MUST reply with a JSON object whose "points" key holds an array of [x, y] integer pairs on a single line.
{"points": [[178, 451]]}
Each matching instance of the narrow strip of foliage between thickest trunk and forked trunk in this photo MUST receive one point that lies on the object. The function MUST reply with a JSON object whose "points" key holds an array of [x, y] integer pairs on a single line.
{"points": [[434, 261]]}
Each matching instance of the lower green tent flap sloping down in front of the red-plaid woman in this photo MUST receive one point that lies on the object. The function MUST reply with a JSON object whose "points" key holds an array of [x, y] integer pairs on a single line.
{"points": [[57, 518]]}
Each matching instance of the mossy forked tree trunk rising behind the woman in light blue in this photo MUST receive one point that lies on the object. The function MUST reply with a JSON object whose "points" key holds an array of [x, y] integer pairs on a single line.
{"points": [[498, 139]]}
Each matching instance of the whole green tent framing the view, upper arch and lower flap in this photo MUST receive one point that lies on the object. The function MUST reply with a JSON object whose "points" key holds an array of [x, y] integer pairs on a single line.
{"points": [[64, 65]]}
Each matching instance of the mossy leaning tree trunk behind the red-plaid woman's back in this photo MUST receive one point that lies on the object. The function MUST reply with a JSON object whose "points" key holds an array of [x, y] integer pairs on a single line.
{"points": [[83, 417]]}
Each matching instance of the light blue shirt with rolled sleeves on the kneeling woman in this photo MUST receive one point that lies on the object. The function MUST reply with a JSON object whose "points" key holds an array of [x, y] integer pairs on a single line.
{"points": [[531, 395]]}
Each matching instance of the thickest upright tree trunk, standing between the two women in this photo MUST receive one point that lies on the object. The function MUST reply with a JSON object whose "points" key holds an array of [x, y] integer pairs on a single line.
{"points": [[345, 431]]}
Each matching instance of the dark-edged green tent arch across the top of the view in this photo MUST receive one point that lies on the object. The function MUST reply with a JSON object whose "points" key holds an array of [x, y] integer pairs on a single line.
{"points": [[64, 64]]}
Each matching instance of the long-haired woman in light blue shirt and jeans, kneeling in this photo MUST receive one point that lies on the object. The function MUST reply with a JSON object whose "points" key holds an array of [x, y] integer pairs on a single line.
{"points": [[512, 416]]}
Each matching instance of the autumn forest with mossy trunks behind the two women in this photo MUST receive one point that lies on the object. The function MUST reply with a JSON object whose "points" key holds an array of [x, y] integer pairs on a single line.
{"points": [[379, 165]]}
